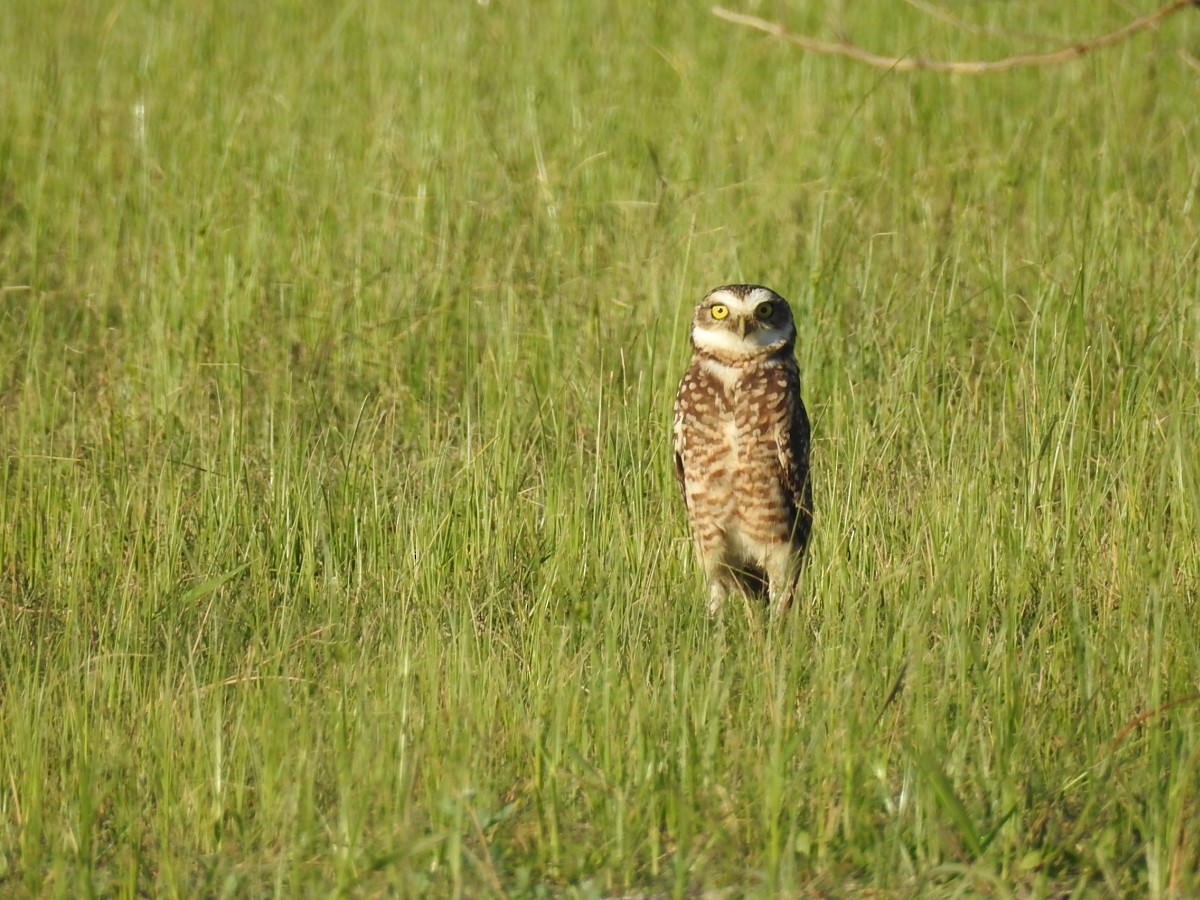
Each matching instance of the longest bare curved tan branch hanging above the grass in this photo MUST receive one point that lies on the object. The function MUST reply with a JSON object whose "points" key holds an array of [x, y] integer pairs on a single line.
{"points": [[910, 64]]}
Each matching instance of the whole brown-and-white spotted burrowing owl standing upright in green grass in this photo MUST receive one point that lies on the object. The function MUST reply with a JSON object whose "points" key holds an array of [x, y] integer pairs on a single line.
{"points": [[742, 446]]}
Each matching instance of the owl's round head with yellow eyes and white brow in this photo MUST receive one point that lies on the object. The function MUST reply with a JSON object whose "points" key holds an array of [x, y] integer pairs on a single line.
{"points": [[743, 321]]}
